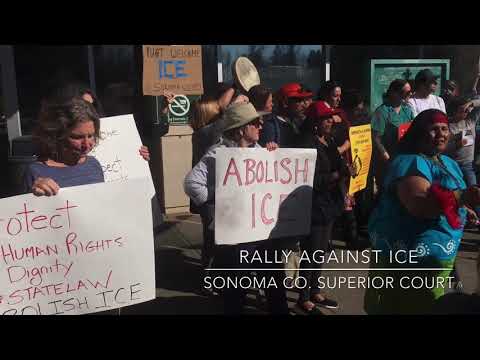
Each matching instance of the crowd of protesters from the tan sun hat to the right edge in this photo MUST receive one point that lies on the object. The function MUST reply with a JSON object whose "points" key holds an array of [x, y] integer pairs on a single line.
{"points": [[421, 191]]}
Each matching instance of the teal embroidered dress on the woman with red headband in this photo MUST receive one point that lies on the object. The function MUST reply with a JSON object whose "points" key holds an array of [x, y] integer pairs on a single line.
{"points": [[392, 228]]}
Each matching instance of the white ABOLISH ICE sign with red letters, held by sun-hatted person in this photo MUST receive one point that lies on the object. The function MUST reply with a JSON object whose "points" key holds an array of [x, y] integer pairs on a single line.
{"points": [[262, 194]]}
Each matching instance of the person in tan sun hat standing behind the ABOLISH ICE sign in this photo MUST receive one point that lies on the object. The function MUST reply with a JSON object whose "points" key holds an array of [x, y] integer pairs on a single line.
{"points": [[241, 125]]}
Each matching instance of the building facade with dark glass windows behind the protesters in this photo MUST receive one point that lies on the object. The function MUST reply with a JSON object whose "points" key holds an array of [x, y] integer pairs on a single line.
{"points": [[114, 72]]}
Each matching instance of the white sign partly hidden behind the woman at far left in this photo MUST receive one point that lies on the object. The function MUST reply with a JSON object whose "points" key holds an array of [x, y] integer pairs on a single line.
{"points": [[117, 151]]}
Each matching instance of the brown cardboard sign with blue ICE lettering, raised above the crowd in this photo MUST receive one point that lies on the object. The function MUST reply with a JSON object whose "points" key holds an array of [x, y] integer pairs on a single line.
{"points": [[173, 68]]}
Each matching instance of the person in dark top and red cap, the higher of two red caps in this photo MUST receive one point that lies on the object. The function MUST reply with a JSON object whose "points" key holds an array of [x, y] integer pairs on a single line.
{"points": [[282, 127]]}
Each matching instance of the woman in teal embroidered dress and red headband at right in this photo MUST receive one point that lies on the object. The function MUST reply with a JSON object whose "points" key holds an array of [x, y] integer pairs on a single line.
{"points": [[422, 212]]}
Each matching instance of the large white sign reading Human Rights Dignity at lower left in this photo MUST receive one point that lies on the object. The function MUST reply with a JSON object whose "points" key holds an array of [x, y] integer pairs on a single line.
{"points": [[81, 251]]}
